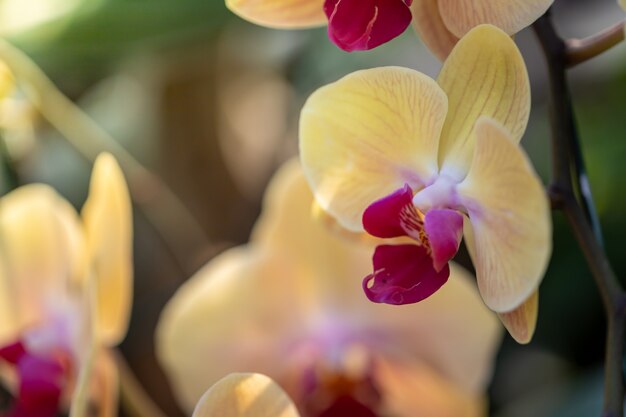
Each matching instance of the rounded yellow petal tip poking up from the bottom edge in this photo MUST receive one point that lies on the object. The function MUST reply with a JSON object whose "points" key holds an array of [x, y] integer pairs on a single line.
{"points": [[245, 395]]}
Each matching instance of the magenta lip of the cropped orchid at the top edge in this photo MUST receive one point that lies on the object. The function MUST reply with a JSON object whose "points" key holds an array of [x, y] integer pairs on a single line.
{"points": [[355, 25]]}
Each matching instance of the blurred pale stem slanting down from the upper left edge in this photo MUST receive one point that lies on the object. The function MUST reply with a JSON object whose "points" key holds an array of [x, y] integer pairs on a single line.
{"points": [[155, 199]]}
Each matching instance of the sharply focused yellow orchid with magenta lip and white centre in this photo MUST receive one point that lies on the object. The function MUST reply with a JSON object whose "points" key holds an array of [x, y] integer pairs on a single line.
{"points": [[394, 153]]}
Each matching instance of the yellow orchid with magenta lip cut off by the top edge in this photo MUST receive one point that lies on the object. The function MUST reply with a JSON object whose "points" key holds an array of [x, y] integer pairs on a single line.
{"points": [[365, 24]]}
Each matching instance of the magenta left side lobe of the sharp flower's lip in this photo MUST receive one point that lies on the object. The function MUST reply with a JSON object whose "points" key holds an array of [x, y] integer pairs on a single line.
{"points": [[393, 216]]}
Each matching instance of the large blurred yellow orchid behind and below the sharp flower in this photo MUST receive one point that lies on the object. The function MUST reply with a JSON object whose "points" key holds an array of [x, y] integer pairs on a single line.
{"points": [[286, 305]]}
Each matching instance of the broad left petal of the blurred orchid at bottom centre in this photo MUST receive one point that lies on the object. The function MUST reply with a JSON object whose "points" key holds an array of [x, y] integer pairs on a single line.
{"points": [[218, 323]]}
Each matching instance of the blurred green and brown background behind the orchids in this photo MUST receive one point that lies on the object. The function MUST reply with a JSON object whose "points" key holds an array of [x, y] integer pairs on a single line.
{"points": [[210, 104]]}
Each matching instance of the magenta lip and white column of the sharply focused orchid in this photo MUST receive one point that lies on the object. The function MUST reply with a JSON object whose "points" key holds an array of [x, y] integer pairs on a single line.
{"points": [[409, 273]]}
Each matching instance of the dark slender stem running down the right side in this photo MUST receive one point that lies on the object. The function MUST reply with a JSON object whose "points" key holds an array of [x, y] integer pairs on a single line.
{"points": [[570, 192]]}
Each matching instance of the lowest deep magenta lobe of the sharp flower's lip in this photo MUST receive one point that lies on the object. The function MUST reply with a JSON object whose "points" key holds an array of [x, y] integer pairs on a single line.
{"points": [[403, 274]]}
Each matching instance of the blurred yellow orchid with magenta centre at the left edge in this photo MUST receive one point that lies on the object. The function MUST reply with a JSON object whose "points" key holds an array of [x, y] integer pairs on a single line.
{"points": [[65, 294]]}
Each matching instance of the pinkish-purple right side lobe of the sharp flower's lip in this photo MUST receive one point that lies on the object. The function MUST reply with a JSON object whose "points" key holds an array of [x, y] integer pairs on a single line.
{"points": [[444, 228]]}
